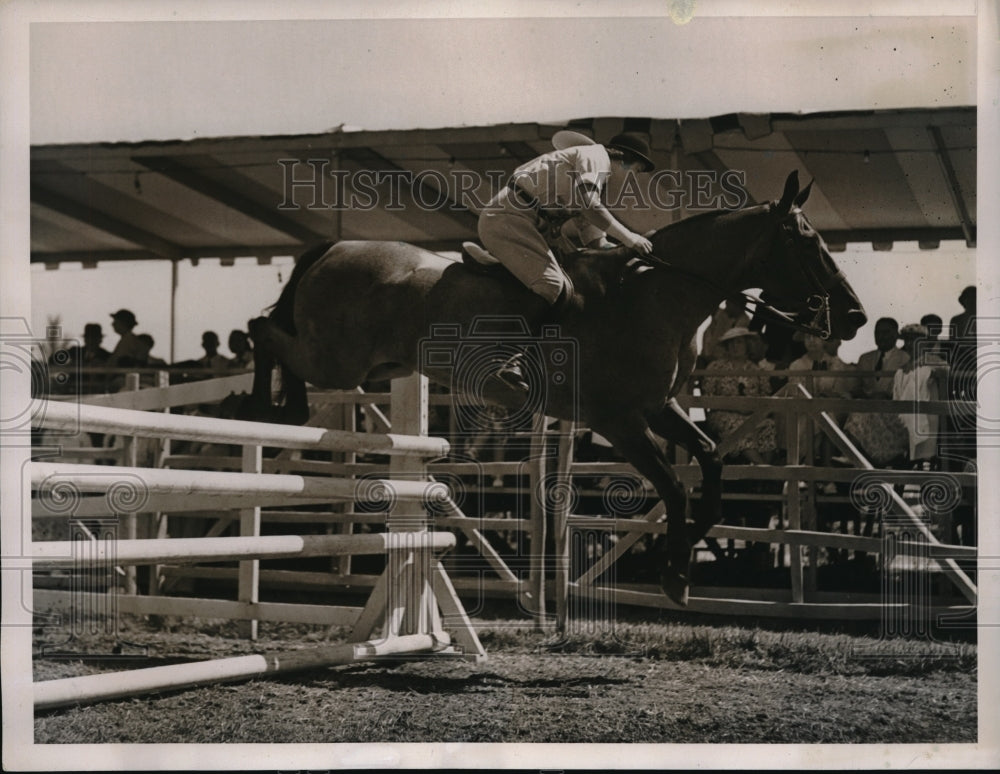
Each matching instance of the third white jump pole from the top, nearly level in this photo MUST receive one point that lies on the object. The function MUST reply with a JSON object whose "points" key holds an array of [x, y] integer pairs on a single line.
{"points": [[70, 554]]}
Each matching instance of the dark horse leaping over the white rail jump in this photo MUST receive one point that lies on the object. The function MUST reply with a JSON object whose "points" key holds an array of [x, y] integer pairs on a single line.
{"points": [[362, 310]]}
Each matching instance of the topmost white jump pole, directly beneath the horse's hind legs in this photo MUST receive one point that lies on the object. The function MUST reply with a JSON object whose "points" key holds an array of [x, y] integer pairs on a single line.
{"points": [[56, 415]]}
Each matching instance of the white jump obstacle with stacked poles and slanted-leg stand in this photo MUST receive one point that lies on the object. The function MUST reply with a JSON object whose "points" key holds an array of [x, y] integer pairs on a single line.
{"points": [[411, 600]]}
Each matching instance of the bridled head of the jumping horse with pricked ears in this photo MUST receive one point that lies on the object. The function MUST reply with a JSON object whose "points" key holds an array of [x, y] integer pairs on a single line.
{"points": [[800, 278]]}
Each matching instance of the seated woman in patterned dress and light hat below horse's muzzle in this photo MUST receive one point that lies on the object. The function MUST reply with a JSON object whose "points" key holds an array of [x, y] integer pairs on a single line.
{"points": [[760, 445]]}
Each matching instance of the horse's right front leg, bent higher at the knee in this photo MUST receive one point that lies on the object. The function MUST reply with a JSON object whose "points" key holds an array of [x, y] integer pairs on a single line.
{"points": [[673, 424]]}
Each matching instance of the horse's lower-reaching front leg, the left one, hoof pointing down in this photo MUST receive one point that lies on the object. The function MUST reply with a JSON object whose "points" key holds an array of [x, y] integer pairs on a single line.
{"points": [[632, 437]]}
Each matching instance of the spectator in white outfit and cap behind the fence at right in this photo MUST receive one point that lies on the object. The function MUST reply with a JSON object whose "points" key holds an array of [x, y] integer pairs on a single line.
{"points": [[923, 378]]}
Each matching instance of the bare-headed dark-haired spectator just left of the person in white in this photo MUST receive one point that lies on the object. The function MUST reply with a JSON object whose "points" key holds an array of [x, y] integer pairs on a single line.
{"points": [[882, 437]]}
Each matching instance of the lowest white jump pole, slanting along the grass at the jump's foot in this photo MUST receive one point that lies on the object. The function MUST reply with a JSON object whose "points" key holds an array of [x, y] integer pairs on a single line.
{"points": [[51, 694]]}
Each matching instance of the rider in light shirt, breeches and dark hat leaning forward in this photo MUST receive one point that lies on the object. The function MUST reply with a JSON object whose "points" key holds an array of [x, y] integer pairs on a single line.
{"points": [[518, 224]]}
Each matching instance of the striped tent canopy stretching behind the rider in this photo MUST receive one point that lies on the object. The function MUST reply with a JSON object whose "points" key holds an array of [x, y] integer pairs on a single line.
{"points": [[880, 177]]}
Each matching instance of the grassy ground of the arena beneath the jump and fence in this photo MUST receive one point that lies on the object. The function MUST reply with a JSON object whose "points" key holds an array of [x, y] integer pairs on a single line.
{"points": [[670, 681]]}
